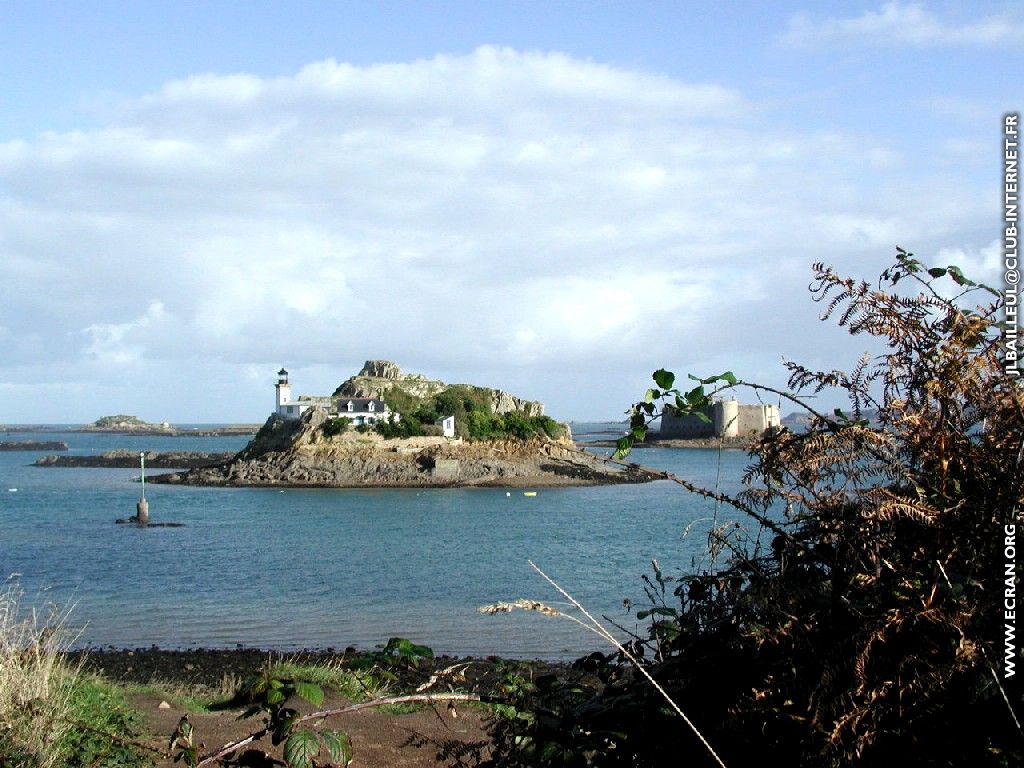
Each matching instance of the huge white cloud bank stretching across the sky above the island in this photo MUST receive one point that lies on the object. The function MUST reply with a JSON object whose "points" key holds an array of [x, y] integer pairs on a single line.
{"points": [[500, 215]]}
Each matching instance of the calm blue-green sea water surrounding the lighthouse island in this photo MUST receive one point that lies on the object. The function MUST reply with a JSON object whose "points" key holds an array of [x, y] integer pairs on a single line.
{"points": [[291, 570]]}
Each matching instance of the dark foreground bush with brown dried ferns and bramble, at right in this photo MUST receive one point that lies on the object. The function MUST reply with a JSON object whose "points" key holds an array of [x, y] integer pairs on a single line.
{"points": [[850, 612]]}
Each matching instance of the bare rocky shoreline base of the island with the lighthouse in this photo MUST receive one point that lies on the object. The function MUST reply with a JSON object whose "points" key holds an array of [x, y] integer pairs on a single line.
{"points": [[296, 453]]}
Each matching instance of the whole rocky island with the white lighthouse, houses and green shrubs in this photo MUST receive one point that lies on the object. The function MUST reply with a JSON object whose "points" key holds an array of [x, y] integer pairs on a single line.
{"points": [[383, 429]]}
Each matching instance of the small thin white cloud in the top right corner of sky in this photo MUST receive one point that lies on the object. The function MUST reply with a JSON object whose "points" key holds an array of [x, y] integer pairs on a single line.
{"points": [[903, 24]]}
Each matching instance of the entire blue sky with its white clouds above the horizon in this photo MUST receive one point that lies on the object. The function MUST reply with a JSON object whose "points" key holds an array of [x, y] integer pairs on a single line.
{"points": [[550, 198]]}
